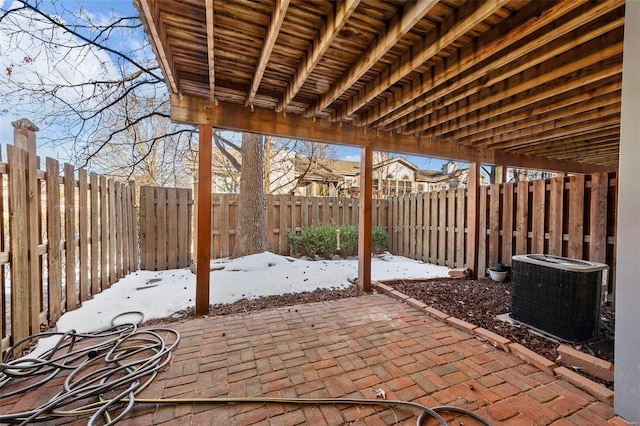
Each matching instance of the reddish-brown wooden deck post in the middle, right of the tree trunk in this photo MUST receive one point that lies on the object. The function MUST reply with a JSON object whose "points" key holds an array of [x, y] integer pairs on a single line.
{"points": [[365, 219]]}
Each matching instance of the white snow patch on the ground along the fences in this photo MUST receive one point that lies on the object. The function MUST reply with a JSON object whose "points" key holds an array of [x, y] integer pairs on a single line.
{"points": [[158, 294]]}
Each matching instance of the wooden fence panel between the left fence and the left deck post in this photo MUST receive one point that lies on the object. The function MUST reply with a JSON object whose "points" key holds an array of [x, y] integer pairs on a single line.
{"points": [[165, 228]]}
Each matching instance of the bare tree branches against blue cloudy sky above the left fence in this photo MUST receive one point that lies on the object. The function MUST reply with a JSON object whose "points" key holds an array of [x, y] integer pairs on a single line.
{"points": [[93, 85]]}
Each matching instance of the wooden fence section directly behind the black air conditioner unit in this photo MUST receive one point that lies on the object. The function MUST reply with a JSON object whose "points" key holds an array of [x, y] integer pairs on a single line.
{"points": [[564, 216]]}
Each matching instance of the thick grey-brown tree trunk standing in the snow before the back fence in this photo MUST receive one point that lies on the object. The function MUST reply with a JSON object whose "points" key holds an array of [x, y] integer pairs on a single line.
{"points": [[251, 235]]}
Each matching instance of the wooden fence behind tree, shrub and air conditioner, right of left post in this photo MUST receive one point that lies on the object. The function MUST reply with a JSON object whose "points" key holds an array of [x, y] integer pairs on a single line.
{"points": [[566, 216]]}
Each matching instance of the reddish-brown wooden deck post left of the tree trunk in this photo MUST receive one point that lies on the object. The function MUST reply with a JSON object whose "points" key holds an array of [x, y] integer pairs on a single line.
{"points": [[203, 231]]}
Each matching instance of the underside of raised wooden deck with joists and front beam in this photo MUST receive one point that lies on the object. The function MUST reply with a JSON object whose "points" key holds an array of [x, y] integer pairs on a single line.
{"points": [[509, 82]]}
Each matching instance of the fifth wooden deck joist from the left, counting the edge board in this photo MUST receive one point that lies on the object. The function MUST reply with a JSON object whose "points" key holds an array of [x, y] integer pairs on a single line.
{"points": [[398, 27]]}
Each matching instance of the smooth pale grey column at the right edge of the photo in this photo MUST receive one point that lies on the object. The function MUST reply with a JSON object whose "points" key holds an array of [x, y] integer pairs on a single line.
{"points": [[627, 294]]}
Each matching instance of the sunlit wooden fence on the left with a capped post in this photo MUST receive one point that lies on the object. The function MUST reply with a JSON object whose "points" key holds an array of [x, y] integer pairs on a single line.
{"points": [[63, 238]]}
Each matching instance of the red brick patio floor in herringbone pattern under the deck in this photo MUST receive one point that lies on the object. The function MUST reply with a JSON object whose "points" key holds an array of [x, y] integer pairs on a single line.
{"points": [[350, 348]]}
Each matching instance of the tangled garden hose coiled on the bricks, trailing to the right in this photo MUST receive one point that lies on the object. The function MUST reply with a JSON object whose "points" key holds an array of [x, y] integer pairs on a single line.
{"points": [[104, 371]]}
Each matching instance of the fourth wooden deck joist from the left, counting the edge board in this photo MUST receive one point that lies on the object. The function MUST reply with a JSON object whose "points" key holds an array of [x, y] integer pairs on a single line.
{"points": [[328, 32]]}
